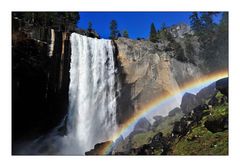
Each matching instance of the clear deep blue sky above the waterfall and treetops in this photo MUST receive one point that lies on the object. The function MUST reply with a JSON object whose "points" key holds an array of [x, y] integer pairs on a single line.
{"points": [[137, 23]]}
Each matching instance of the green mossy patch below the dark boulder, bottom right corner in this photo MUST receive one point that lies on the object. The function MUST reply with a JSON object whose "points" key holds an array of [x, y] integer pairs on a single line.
{"points": [[202, 142]]}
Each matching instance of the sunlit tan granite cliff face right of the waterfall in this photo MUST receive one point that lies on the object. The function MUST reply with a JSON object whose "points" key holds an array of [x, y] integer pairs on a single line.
{"points": [[149, 71]]}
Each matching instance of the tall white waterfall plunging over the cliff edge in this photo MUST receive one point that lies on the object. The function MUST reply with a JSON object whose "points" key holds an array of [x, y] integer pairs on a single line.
{"points": [[92, 94]]}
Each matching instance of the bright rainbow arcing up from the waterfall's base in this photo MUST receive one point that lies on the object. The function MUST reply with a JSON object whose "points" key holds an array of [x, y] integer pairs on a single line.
{"points": [[151, 106]]}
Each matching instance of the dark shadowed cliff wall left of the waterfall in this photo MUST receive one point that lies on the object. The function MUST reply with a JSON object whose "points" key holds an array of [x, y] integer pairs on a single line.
{"points": [[40, 80]]}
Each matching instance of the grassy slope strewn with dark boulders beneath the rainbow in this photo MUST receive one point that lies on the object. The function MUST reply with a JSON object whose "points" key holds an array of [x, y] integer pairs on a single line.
{"points": [[203, 130]]}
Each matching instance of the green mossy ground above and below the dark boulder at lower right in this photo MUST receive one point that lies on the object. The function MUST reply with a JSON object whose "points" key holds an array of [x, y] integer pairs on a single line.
{"points": [[201, 141]]}
